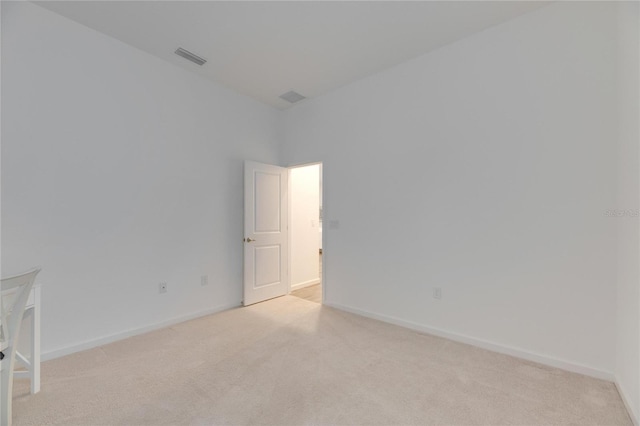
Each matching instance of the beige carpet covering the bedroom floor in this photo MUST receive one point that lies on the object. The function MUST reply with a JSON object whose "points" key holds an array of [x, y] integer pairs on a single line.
{"points": [[293, 362]]}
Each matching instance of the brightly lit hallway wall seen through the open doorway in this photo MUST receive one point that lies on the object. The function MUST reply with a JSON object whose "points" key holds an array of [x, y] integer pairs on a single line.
{"points": [[304, 187]]}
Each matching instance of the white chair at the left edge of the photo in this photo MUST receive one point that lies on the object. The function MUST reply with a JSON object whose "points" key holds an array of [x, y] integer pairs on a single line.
{"points": [[15, 293]]}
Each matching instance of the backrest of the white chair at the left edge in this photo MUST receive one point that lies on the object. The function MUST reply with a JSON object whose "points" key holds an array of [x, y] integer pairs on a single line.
{"points": [[14, 295]]}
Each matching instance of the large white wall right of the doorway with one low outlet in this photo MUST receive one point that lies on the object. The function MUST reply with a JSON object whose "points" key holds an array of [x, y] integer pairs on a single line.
{"points": [[484, 168]]}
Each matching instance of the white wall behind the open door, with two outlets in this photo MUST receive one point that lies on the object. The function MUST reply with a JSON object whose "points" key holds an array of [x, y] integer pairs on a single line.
{"points": [[119, 171]]}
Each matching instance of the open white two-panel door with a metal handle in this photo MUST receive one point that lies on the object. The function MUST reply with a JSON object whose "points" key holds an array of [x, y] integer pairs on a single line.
{"points": [[265, 232]]}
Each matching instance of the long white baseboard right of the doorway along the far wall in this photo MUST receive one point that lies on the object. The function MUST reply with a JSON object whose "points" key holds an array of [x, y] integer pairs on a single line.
{"points": [[484, 344]]}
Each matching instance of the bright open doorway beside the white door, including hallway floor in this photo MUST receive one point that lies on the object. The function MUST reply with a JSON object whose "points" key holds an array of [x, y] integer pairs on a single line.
{"points": [[305, 232]]}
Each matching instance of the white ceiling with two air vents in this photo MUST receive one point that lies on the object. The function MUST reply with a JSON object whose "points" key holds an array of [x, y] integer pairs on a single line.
{"points": [[264, 49]]}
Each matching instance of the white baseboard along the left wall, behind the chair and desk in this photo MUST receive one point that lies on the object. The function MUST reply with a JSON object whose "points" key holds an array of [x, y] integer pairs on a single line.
{"points": [[93, 343]]}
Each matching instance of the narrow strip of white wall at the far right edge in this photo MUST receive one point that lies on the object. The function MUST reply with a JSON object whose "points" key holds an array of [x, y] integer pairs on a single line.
{"points": [[628, 307]]}
